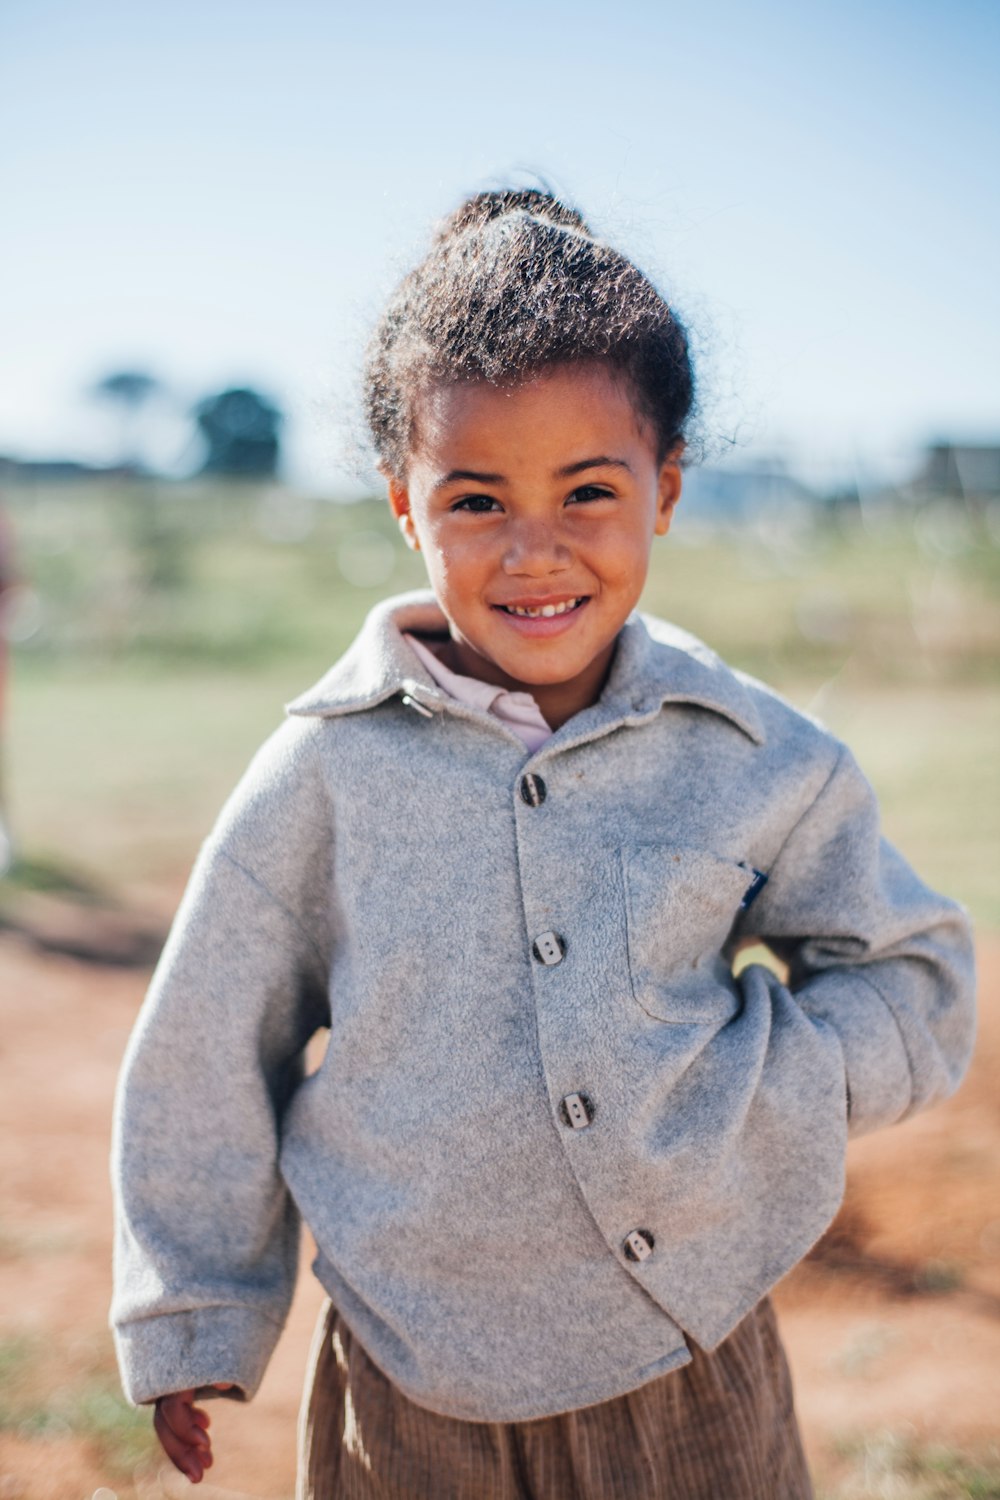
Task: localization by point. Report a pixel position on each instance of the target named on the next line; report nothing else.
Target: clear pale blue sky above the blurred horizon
(226, 191)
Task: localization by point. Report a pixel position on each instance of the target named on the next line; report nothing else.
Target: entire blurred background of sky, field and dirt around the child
(205, 209)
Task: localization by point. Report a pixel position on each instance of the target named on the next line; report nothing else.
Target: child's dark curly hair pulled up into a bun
(515, 283)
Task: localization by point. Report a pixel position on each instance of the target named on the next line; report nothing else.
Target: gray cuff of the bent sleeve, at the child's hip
(876, 1063)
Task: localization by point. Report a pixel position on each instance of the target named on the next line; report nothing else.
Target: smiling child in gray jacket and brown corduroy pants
(506, 850)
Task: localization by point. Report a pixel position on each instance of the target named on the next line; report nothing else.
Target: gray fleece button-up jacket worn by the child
(552, 1135)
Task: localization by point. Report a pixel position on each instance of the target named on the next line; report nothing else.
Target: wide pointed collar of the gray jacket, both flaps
(656, 664)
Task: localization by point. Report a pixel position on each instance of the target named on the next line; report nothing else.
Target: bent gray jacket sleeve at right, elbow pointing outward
(872, 953)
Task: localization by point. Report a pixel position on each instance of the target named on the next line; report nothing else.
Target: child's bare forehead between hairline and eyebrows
(554, 418)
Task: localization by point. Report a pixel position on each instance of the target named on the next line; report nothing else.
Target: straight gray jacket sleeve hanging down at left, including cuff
(206, 1232)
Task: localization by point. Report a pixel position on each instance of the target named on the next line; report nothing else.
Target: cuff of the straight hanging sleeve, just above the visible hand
(178, 1351)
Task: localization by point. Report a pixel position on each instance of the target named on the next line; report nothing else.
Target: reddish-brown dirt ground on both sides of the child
(893, 1325)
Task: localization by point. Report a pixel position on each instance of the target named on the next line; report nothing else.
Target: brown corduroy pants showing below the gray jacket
(720, 1429)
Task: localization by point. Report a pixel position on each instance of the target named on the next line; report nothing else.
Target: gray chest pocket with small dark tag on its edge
(680, 910)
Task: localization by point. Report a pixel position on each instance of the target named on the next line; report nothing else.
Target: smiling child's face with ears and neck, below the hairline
(536, 508)
